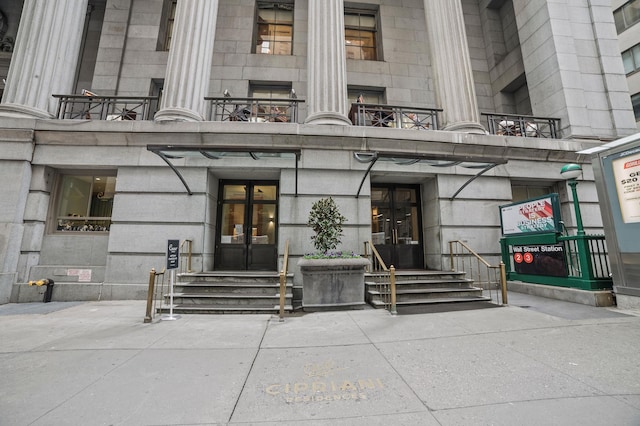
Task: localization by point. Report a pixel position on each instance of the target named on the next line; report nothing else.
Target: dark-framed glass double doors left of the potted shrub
(247, 231)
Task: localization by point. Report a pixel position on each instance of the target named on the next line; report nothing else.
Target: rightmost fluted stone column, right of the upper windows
(451, 65)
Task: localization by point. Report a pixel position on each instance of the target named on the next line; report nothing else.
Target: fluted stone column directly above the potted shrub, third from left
(326, 64)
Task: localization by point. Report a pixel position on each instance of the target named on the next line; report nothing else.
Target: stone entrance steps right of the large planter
(426, 288)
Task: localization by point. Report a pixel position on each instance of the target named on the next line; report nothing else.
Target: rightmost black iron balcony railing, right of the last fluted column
(522, 125)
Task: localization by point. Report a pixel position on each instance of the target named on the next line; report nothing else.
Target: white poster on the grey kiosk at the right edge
(627, 174)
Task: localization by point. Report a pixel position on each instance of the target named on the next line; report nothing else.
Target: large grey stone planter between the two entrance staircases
(332, 283)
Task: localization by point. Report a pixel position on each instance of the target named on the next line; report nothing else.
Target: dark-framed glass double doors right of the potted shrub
(397, 226)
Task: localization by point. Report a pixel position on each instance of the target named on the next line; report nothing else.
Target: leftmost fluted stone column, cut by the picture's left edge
(45, 57)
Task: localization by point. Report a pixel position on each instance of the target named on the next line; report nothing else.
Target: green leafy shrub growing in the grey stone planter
(326, 221)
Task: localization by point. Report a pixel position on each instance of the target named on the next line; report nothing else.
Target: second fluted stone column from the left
(186, 82)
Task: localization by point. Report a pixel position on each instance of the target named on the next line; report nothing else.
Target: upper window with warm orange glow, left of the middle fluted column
(274, 28)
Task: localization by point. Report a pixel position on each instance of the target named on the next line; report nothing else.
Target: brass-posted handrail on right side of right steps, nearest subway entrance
(461, 258)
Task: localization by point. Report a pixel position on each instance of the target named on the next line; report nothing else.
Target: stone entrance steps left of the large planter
(240, 292)
